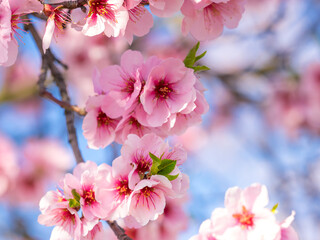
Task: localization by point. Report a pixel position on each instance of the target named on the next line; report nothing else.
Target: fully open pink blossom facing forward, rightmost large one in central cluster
(169, 89)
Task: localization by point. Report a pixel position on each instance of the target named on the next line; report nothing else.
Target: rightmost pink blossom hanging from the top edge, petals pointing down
(205, 19)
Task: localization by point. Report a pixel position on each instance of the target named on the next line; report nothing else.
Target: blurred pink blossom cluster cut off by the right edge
(297, 102)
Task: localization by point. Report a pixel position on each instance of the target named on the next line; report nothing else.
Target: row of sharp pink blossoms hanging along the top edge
(204, 19)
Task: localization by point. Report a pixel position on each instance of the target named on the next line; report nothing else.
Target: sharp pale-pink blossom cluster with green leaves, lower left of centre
(132, 191)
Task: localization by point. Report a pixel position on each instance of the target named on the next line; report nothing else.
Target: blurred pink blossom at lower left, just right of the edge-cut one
(43, 161)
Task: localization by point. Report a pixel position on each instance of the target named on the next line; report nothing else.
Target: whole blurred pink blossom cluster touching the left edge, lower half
(25, 173)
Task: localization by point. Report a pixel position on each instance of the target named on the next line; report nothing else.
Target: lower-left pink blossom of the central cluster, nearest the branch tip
(101, 121)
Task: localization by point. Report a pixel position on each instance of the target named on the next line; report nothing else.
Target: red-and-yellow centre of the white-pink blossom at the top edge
(102, 8)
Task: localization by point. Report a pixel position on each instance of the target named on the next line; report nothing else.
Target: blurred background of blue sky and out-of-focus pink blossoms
(263, 124)
